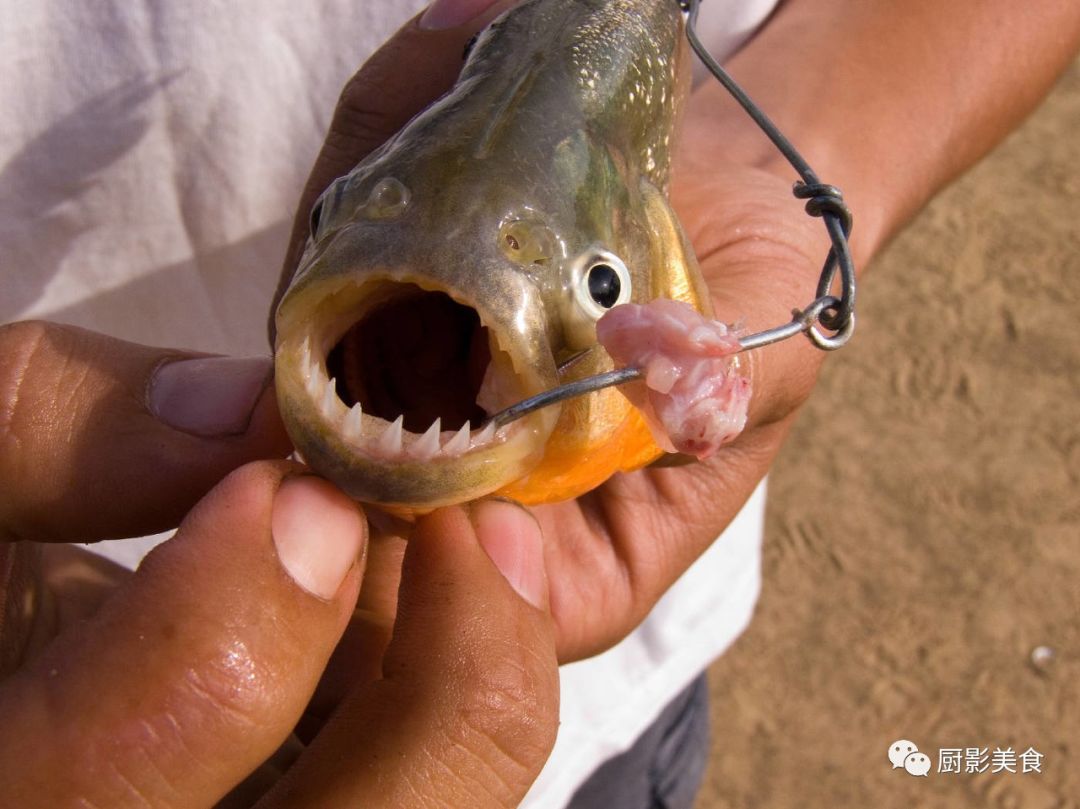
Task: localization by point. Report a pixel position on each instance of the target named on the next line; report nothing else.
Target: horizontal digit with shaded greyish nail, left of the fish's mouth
(103, 439)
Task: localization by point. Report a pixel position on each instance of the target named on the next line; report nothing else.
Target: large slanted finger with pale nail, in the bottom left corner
(198, 668)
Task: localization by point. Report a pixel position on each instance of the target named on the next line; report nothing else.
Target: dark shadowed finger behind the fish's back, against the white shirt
(414, 69)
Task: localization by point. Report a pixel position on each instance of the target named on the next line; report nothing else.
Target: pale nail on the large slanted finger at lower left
(319, 534)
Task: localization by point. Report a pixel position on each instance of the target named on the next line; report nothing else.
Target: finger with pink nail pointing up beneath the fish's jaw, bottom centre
(467, 710)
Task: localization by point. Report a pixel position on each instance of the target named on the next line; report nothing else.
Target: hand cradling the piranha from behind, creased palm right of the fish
(615, 551)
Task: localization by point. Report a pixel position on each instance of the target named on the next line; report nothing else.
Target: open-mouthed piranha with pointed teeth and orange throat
(463, 268)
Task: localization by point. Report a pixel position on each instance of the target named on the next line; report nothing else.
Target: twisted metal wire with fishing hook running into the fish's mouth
(833, 315)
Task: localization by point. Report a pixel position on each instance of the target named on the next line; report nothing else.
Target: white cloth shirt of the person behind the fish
(151, 158)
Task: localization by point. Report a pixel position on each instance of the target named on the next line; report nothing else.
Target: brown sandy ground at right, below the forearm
(924, 528)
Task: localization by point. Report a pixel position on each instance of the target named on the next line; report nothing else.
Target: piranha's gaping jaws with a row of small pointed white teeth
(380, 459)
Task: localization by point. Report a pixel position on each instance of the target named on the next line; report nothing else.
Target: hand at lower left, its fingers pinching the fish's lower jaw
(170, 686)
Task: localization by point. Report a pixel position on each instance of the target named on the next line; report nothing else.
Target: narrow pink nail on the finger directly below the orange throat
(512, 538)
